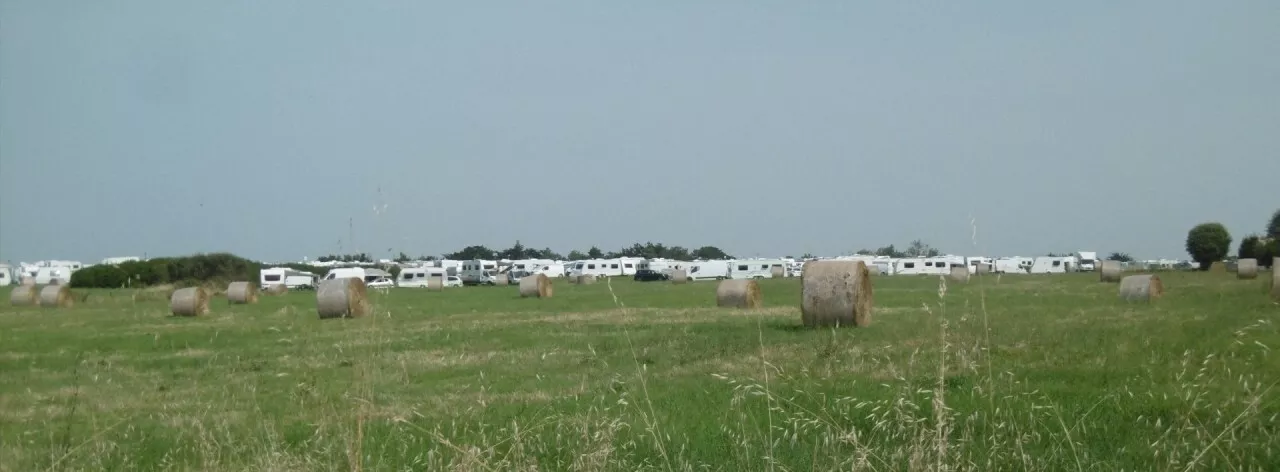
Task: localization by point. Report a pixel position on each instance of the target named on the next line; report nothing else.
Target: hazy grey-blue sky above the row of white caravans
(766, 129)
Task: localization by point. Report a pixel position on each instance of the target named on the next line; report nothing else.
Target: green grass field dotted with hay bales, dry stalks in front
(1011, 373)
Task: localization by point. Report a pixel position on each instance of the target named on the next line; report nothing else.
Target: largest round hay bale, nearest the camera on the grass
(836, 294)
